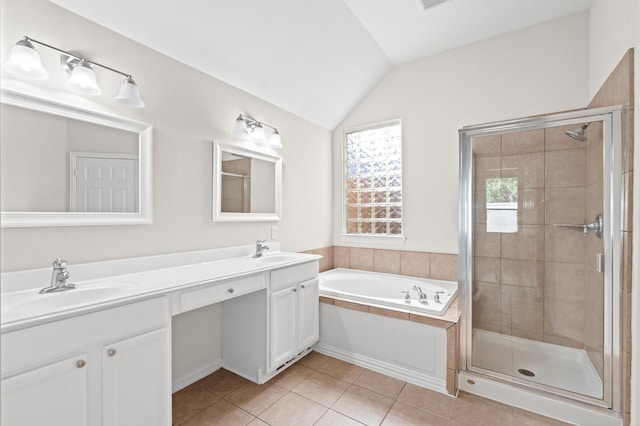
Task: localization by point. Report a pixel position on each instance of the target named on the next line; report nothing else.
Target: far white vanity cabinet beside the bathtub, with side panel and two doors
(263, 331)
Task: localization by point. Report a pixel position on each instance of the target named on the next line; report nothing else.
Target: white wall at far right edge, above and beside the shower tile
(614, 28)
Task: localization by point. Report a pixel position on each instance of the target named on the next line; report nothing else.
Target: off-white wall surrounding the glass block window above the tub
(536, 70)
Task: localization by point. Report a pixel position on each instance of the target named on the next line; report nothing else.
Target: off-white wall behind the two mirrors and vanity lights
(188, 110)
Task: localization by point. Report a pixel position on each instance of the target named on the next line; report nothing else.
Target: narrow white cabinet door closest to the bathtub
(308, 314)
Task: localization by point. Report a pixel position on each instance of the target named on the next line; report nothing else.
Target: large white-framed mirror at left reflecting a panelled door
(66, 166)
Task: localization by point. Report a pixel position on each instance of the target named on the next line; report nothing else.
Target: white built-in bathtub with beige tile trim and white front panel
(366, 319)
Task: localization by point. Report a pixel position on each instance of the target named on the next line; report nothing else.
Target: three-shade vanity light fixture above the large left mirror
(24, 61)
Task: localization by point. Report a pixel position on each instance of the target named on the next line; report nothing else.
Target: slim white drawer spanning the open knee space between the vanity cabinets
(208, 294)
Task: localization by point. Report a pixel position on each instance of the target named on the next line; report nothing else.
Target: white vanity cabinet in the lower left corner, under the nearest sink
(110, 367)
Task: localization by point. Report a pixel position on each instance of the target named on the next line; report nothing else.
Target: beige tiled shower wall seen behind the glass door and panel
(532, 283)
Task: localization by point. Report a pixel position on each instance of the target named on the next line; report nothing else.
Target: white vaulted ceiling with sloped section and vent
(314, 58)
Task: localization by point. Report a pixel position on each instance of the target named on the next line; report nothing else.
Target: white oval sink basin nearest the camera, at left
(84, 294)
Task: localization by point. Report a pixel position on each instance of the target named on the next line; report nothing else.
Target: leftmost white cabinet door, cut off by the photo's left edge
(54, 395)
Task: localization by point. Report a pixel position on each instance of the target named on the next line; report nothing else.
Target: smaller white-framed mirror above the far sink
(247, 183)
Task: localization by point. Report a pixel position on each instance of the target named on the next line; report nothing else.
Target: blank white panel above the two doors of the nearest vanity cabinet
(48, 342)
